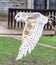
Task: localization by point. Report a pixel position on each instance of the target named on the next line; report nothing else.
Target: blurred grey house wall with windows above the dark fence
(32, 4)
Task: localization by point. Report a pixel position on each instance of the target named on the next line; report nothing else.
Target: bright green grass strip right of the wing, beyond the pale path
(50, 40)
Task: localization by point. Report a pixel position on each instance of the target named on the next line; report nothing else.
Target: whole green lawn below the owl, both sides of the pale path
(39, 56)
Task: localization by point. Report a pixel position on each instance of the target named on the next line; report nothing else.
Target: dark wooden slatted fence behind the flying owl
(13, 24)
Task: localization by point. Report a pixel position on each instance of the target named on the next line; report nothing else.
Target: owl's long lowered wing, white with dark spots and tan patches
(31, 34)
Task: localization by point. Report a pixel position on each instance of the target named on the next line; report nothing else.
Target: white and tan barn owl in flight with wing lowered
(34, 24)
